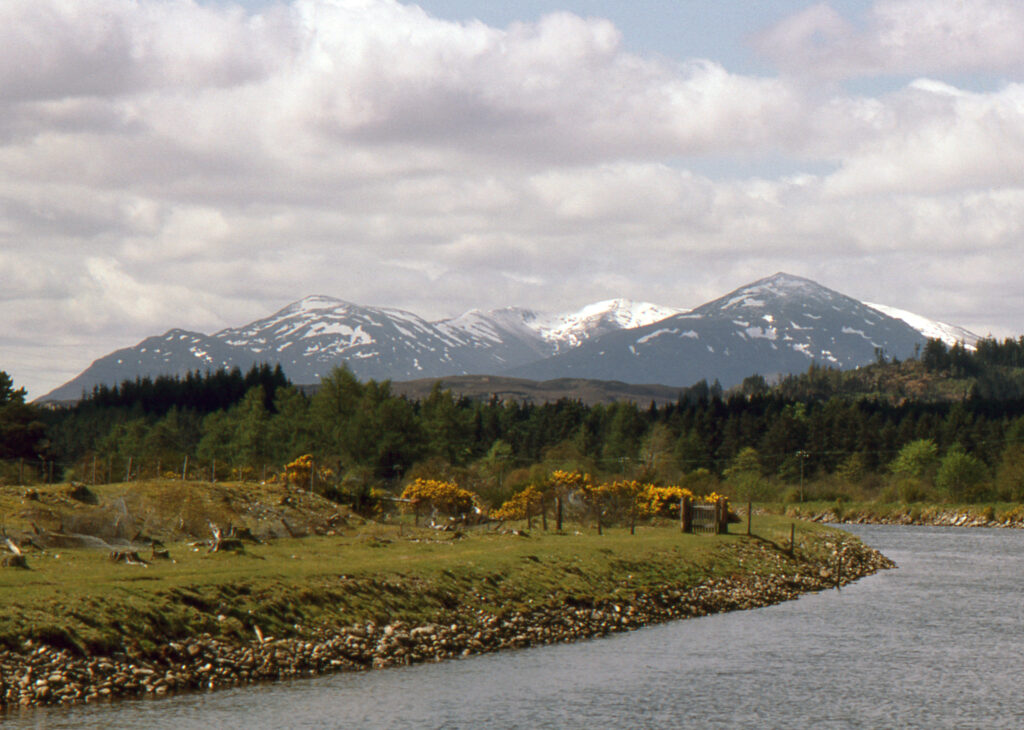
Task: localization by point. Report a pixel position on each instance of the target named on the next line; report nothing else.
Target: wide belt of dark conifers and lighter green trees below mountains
(946, 426)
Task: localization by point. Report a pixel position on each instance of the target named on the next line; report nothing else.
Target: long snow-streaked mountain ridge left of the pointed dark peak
(311, 337)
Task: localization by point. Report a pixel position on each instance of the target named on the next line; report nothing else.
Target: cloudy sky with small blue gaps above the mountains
(200, 165)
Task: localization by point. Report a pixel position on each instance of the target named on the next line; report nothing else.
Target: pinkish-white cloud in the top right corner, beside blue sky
(901, 38)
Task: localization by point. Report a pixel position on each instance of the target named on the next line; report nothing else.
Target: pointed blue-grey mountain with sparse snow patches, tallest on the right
(776, 326)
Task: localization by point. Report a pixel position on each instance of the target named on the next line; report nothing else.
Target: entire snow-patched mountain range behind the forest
(773, 327)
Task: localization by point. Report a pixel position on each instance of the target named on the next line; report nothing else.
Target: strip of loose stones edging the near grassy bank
(41, 675)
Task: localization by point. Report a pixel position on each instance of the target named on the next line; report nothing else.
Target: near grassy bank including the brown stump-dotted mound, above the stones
(358, 572)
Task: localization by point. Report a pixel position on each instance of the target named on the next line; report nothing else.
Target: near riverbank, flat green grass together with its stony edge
(99, 631)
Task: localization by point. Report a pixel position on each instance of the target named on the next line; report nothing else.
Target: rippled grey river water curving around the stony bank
(936, 643)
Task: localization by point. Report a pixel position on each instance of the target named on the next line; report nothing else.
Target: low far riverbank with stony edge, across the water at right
(988, 516)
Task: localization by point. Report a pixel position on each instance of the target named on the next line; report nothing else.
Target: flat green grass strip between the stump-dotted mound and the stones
(372, 573)
